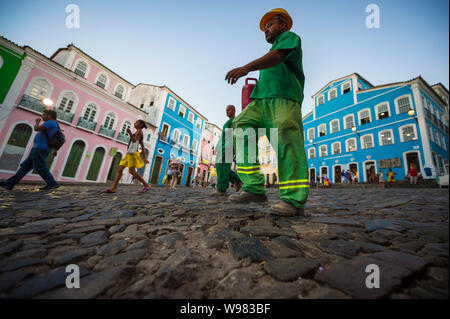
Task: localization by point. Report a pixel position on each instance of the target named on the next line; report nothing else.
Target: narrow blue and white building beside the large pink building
(179, 137)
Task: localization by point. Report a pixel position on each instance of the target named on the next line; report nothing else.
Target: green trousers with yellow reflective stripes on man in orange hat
(284, 115)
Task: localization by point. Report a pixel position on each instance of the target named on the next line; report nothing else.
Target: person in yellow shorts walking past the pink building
(132, 159)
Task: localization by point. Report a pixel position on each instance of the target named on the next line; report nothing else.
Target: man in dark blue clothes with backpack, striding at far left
(38, 153)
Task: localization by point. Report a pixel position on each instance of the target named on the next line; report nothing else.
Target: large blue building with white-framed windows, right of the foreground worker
(365, 128)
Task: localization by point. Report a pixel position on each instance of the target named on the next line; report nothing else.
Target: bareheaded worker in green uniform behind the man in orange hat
(224, 173)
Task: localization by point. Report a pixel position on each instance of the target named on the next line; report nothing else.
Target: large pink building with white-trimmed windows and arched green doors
(93, 112)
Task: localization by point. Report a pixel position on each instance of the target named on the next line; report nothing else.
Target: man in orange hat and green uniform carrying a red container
(276, 104)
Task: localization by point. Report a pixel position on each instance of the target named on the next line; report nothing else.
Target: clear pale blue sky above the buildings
(189, 46)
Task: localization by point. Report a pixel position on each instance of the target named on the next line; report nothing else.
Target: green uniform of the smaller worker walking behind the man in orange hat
(224, 173)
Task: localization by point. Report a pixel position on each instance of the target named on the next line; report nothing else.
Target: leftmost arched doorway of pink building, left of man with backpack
(15, 148)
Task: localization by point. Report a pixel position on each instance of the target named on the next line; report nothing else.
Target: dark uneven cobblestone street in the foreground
(187, 244)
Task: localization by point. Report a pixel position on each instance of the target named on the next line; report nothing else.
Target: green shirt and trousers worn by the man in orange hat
(276, 104)
